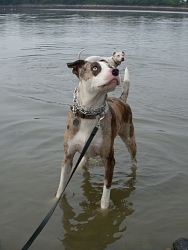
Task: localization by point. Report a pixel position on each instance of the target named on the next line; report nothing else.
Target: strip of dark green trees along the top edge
(99, 2)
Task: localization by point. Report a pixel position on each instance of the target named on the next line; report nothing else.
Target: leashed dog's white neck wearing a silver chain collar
(89, 104)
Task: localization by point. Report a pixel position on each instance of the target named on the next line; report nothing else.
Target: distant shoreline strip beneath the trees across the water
(100, 7)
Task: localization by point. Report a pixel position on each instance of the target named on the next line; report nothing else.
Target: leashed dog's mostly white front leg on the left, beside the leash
(65, 173)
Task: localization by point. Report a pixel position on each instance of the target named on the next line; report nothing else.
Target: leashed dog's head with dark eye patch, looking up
(96, 76)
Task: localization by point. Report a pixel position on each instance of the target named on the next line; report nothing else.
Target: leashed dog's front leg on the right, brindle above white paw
(109, 169)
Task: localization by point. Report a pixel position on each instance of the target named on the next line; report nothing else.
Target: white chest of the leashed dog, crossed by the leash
(78, 141)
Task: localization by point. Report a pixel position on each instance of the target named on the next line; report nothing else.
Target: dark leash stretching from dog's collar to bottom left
(48, 216)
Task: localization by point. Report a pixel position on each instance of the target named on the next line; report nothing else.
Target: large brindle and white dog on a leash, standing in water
(91, 103)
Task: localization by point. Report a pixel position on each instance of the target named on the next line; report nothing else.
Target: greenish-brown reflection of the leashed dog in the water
(93, 228)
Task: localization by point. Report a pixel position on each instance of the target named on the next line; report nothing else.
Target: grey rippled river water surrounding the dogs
(148, 208)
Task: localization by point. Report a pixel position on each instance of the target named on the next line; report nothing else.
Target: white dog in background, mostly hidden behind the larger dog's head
(115, 60)
